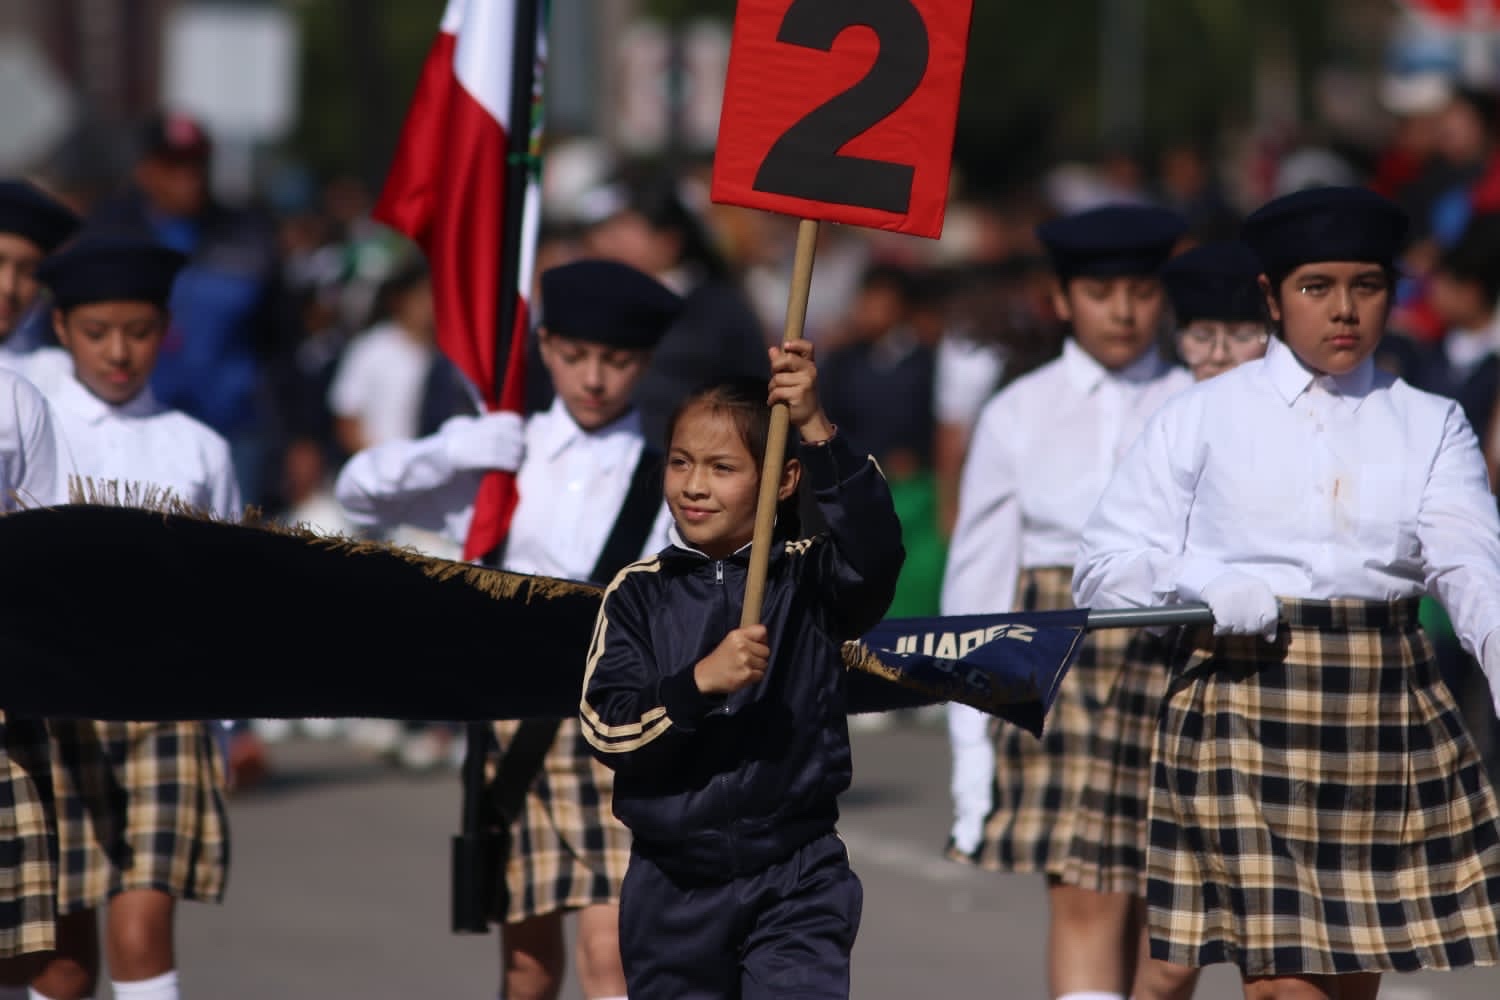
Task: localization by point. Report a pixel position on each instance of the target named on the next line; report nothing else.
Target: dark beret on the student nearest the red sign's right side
(1112, 241)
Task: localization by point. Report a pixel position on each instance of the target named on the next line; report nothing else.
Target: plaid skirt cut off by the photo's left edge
(28, 840)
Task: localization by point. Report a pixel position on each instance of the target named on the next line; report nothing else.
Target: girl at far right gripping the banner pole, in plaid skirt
(1318, 816)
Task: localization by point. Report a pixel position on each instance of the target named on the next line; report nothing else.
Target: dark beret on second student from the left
(112, 269)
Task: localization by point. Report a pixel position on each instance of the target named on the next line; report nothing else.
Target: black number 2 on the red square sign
(806, 161)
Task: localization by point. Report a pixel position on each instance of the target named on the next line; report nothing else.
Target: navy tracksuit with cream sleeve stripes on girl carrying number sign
(739, 885)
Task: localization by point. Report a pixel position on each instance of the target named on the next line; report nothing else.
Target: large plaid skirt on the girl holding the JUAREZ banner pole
(1318, 807)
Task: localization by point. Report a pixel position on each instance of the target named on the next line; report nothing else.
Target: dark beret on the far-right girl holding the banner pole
(1325, 224)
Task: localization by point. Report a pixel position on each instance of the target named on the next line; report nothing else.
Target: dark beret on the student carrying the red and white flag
(607, 302)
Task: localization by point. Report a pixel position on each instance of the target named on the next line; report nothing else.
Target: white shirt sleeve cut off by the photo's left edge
(35, 464)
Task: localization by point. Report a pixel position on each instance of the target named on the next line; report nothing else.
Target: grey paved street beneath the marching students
(340, 890)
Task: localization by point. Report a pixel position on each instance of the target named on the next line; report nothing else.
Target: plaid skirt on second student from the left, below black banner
(140, 806)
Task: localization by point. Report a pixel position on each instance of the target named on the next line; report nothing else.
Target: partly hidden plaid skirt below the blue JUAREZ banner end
(1040, 782)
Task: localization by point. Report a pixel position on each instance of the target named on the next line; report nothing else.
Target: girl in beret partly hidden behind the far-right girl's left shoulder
(1042, 455)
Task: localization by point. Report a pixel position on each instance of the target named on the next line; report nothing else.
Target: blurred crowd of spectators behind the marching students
(259, 133)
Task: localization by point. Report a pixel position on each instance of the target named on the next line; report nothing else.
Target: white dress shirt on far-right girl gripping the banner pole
(1352, 487)
